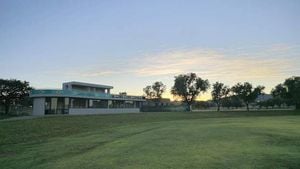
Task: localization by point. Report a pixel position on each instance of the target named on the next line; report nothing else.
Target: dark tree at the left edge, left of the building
(13, 91)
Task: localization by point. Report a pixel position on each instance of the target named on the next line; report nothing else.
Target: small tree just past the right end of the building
(155, 91)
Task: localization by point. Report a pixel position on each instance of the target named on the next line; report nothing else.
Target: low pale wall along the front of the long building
(82, 111)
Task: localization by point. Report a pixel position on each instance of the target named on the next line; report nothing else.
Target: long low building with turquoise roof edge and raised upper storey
(83, 98)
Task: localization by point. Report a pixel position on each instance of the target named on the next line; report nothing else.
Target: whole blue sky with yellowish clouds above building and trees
(131, 44)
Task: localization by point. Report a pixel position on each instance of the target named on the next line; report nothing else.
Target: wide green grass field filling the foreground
(154, 140)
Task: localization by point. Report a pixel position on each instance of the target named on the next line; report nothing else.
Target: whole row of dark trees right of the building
(188, 87)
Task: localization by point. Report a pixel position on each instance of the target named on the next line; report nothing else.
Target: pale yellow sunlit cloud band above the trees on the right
(213, 64)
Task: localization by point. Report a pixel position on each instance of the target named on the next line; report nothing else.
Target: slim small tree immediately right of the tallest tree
(219, 92)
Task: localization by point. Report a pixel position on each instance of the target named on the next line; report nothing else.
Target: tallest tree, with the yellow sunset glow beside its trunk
(188, 87)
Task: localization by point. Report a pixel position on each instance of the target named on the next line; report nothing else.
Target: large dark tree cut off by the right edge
(289, 90)
